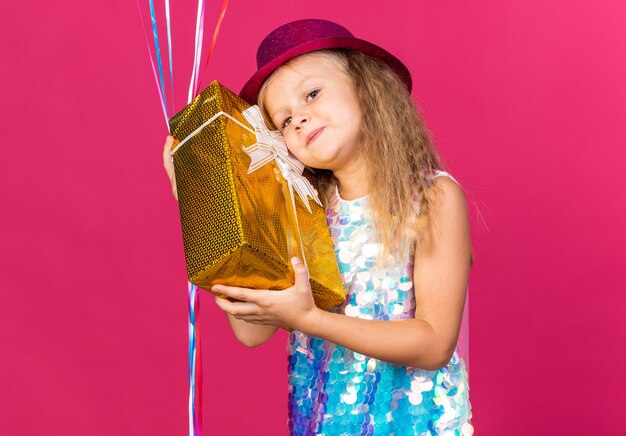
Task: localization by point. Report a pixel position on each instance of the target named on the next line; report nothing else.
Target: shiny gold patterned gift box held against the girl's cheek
(239, 229)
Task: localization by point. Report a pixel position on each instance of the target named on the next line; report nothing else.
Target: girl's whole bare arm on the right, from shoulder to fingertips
(440, 281)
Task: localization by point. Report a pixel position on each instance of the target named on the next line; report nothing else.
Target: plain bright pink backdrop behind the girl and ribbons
(527, 102)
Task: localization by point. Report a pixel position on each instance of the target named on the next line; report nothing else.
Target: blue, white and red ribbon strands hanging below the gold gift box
(195, 363)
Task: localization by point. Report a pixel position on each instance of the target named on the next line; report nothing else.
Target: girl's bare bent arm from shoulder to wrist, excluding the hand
(440, 276)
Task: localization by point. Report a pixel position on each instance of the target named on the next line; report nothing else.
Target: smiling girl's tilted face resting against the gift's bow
(313, 104)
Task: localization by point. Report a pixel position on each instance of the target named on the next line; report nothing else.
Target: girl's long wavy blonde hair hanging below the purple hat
(397, 150)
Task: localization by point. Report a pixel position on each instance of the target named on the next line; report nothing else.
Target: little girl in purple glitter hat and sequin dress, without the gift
(385, 361)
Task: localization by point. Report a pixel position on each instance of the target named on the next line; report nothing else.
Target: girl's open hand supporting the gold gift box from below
(293, 307)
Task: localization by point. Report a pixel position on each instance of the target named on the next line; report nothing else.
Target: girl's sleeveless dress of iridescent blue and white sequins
(335, 391)
